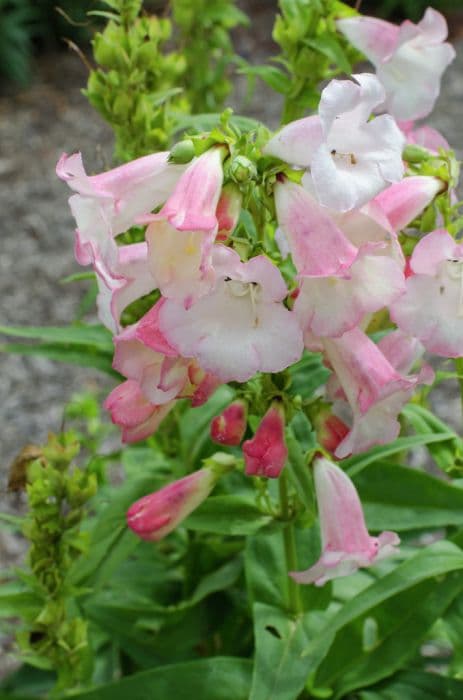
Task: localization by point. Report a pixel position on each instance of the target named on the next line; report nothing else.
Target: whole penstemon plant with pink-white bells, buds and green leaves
(271, 298)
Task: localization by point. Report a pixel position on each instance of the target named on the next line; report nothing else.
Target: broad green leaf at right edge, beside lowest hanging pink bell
(401, 498)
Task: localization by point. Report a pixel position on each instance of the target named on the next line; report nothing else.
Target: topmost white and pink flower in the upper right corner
(409, 59)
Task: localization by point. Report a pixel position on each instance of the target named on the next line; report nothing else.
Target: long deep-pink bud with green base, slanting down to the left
(154, 516)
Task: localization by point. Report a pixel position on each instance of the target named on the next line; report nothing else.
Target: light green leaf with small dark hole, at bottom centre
(280, 670)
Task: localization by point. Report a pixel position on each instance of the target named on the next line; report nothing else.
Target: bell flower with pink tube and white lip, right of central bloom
(338, 282)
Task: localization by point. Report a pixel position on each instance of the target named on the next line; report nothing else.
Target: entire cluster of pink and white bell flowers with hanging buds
(225, 312)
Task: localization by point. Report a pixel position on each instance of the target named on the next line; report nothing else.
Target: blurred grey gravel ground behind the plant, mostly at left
(36, 126)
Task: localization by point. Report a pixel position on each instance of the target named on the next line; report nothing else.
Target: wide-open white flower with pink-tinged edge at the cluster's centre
(240, 327)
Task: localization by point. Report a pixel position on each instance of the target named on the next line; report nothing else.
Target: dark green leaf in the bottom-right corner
(415, 685)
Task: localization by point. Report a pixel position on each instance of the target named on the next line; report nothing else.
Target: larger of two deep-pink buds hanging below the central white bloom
(266, 453)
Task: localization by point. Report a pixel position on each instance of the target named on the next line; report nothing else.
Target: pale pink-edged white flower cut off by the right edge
(431, 309)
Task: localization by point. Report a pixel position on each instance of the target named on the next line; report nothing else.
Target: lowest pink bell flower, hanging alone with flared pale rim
(347, 546)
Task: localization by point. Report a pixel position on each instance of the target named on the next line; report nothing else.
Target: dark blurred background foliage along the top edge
(29, 27)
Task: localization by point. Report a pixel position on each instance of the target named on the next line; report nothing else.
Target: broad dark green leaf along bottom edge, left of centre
(216, 678)
